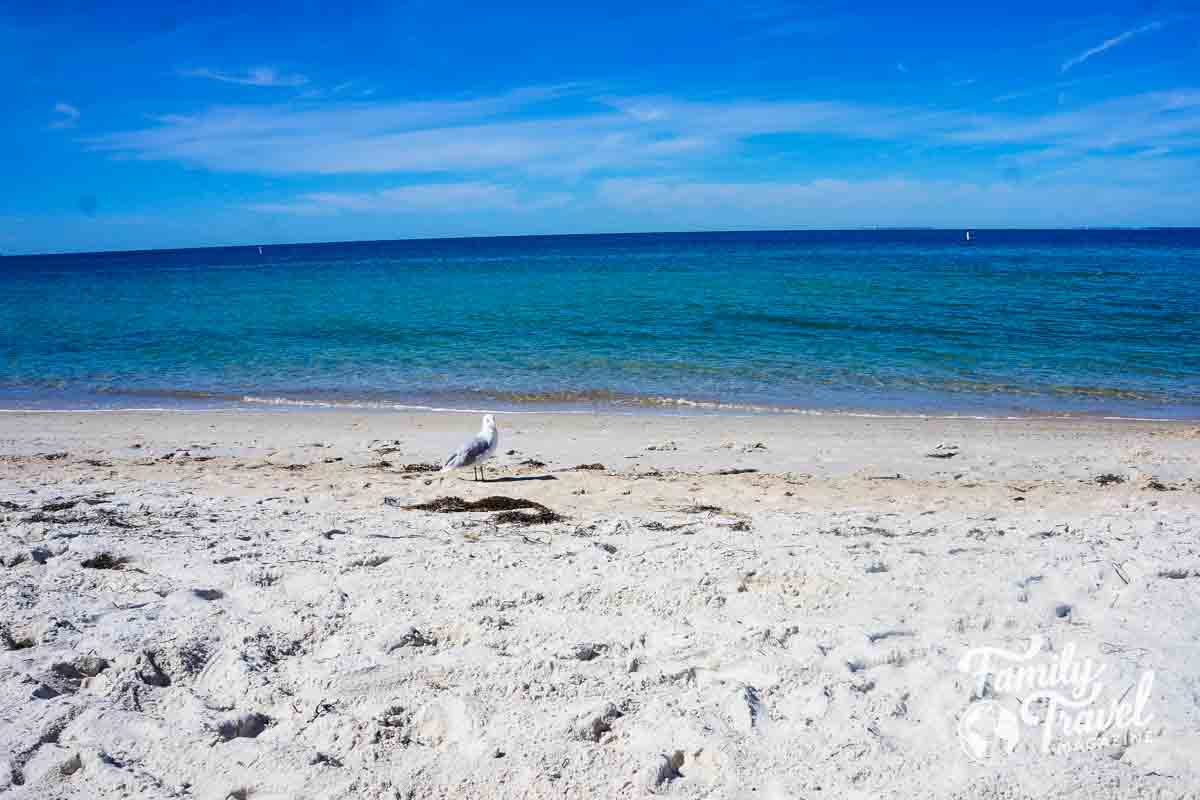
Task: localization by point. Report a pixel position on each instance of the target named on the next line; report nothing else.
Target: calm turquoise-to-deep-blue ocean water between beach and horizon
(1011, 323)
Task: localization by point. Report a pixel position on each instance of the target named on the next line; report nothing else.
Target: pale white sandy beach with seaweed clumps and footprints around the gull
(247, 604)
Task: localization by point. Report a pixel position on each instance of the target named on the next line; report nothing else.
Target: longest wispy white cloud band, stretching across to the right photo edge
(565, 134)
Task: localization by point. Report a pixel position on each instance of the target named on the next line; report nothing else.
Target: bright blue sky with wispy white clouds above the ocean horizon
(155, 125)
